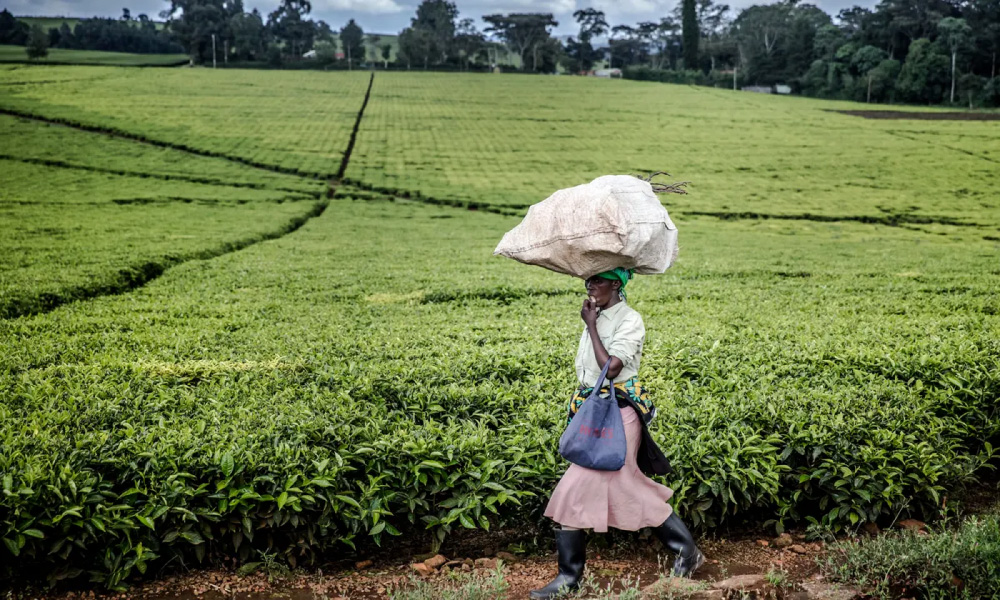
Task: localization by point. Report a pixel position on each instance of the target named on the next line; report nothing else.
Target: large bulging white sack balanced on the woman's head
(613, 221)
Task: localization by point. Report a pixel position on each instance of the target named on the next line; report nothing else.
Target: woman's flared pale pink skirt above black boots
(624, 499)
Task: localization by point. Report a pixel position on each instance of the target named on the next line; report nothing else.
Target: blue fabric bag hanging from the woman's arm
(595, 438)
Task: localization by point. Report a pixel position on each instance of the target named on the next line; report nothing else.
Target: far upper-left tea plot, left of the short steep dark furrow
(299, 122)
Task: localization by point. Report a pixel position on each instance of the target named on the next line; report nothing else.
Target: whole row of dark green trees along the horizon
(915, 51)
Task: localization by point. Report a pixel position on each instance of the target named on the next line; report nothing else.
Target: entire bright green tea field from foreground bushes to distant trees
(310, 375)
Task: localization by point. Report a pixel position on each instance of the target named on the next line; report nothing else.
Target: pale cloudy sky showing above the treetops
(390, 16)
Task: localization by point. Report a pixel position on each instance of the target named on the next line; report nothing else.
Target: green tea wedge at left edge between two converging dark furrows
(86, 215)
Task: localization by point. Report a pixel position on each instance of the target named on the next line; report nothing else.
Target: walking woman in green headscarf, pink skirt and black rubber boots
(624, 499)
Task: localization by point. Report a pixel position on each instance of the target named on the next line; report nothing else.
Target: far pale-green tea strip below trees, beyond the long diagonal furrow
(492, 141)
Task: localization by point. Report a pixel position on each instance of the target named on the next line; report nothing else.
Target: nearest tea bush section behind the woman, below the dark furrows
(316, 391)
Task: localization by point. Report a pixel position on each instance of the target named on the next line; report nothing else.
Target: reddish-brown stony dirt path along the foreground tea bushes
(741, 563)
